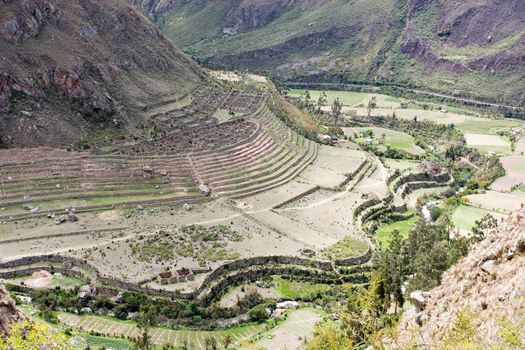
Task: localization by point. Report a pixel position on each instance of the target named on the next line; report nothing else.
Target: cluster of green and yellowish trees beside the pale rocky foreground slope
(414, 263)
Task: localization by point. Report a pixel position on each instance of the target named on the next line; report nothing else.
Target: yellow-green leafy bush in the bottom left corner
(34, 335)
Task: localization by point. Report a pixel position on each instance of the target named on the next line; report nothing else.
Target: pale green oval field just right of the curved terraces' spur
(385, 137)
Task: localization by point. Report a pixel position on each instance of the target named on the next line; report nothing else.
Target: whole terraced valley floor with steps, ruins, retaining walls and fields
(234, 200)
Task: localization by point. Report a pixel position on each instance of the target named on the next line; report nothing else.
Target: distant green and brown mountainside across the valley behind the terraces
(461, 47)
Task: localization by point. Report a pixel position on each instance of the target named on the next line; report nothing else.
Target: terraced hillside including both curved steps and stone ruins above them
(250, 152)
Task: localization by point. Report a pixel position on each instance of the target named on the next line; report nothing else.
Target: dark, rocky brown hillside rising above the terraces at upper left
(71, 68)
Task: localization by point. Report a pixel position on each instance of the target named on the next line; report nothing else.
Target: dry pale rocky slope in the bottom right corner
(488, 286)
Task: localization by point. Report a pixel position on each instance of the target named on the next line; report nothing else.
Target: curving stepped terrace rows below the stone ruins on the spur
(264, 154)
